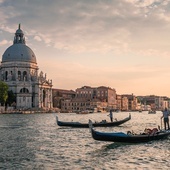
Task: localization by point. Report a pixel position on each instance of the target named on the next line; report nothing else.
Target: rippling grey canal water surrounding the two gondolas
(34, 141)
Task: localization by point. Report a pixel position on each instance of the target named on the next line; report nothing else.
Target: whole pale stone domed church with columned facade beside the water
(20, 71)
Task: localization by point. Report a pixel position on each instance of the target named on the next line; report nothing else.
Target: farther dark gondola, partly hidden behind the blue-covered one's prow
(97, 124)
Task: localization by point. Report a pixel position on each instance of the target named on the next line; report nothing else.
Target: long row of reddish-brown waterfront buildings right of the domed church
(103, 99)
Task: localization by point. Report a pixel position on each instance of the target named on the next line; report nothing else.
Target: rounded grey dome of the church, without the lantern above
(19, 52)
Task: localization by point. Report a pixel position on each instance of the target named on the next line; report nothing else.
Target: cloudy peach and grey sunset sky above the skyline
(122, 44)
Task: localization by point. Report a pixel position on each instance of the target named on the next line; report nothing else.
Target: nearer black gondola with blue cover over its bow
(127, 138)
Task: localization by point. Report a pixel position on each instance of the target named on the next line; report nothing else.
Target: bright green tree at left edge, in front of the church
(3, 92)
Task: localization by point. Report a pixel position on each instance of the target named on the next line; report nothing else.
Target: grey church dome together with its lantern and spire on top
(19, 51)
